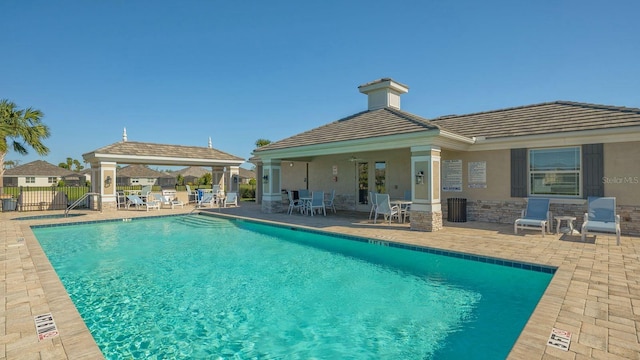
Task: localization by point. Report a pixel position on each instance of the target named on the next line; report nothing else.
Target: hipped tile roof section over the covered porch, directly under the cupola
(363, 125)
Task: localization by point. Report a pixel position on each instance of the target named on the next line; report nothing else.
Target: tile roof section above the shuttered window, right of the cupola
(544, 118)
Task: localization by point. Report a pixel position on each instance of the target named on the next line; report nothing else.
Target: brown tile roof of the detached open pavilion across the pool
(150, 149)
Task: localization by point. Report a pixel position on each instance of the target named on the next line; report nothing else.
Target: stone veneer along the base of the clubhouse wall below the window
(506, 212)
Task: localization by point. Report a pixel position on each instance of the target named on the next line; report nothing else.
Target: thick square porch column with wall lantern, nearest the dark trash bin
(426, 210)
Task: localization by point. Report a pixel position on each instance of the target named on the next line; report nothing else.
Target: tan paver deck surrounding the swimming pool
(595, 293)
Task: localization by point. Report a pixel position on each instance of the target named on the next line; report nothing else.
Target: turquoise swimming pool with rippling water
(199, 287)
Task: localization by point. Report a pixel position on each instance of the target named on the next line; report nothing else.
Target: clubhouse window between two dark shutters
(555, 171)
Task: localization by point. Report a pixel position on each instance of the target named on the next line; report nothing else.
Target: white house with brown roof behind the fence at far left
(41, 173)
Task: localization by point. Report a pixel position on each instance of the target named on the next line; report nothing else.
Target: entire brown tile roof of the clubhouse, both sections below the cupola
(544, 118)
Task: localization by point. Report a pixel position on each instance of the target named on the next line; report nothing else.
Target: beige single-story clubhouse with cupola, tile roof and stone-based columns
(496, 160)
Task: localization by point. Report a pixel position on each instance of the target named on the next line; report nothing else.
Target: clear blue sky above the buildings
(178, 72)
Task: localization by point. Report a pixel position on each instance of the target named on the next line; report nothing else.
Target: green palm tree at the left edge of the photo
(19, 129)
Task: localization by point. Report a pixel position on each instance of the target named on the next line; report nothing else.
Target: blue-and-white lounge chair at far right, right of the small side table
(601, 217)
